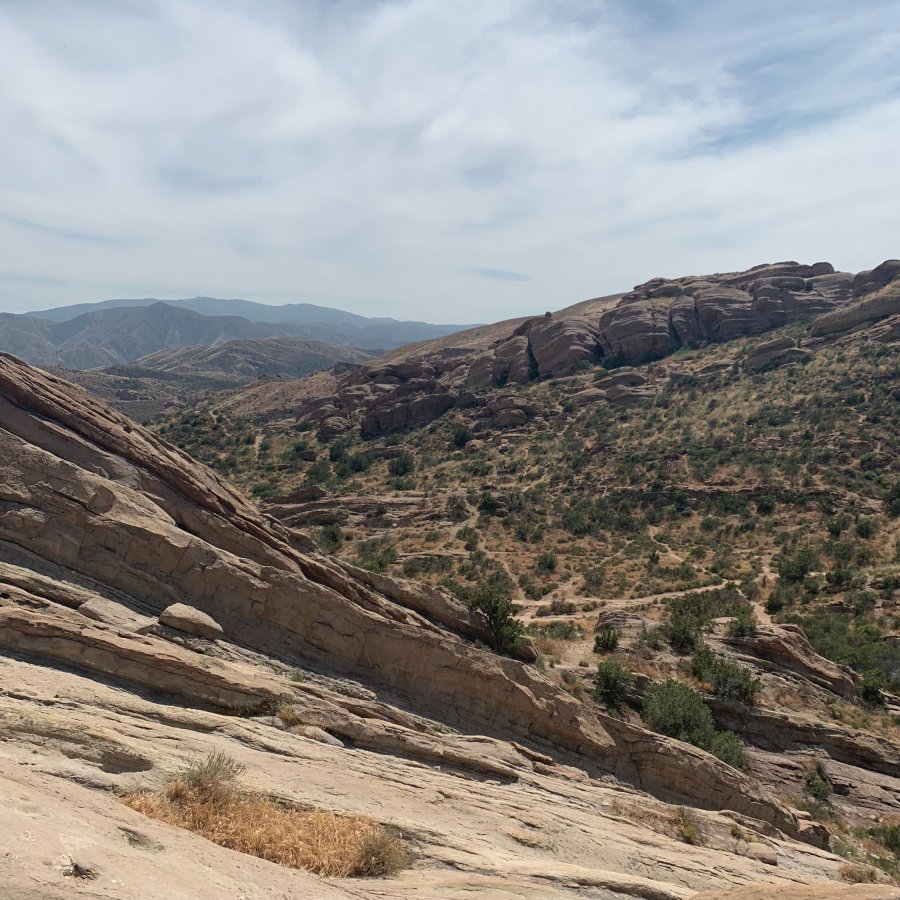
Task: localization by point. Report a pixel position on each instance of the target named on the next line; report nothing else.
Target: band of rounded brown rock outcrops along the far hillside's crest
(649, 323)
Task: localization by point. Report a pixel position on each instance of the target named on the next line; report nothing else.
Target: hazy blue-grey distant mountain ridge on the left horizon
(113, 332)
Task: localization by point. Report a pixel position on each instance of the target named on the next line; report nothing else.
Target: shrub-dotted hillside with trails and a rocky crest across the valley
(731, 499)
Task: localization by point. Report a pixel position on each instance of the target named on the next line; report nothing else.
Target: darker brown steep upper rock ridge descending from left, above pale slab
(93, 502)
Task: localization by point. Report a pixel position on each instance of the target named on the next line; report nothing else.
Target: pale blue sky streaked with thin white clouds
(447, 162)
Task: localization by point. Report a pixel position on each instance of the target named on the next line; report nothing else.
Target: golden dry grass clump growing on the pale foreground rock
(207, 800)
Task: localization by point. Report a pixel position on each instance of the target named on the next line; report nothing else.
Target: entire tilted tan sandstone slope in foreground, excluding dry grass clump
(150, 614)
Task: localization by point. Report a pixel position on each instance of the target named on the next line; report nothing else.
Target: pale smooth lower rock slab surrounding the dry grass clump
(60, 719)
